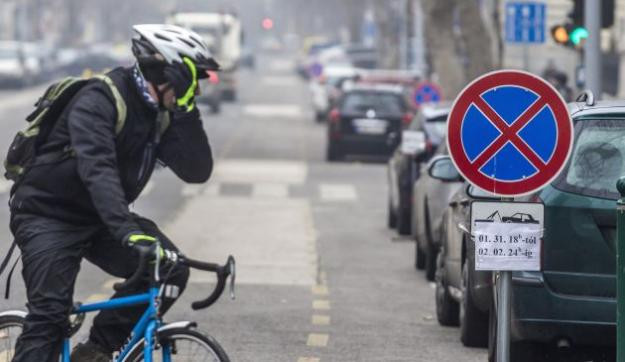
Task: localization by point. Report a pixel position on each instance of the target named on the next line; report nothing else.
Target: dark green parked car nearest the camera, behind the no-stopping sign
(572, 301)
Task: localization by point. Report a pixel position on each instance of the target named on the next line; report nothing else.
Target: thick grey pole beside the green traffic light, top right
(592, 47)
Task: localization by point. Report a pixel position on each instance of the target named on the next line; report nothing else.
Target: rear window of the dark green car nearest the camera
(597, 160)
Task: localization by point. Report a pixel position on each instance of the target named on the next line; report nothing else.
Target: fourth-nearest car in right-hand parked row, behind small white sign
(404, 167)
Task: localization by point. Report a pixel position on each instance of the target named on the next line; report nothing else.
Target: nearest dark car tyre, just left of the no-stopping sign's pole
(473, 322)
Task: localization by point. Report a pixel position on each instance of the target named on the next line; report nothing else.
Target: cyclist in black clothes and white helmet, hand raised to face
(78, 206)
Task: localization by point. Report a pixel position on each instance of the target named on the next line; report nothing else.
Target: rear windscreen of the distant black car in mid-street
(381, 103)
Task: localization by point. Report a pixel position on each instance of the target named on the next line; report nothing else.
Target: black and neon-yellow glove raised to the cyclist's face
(183, 79)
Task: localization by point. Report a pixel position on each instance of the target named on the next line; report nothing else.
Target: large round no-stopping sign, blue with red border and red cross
(509, 133)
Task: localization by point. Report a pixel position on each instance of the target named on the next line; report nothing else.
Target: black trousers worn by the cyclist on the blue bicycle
(51, 261)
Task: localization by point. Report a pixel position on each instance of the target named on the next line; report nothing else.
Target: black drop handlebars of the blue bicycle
(222, 271)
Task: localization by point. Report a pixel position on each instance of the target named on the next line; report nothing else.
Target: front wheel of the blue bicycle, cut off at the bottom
(183, 345)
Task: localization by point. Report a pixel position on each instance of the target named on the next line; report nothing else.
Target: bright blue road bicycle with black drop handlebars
(151, 339)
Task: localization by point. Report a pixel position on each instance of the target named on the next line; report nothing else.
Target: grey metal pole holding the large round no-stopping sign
(503, 311)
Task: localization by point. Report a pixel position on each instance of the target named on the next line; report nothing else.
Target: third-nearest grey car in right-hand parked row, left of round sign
(430, 199)
